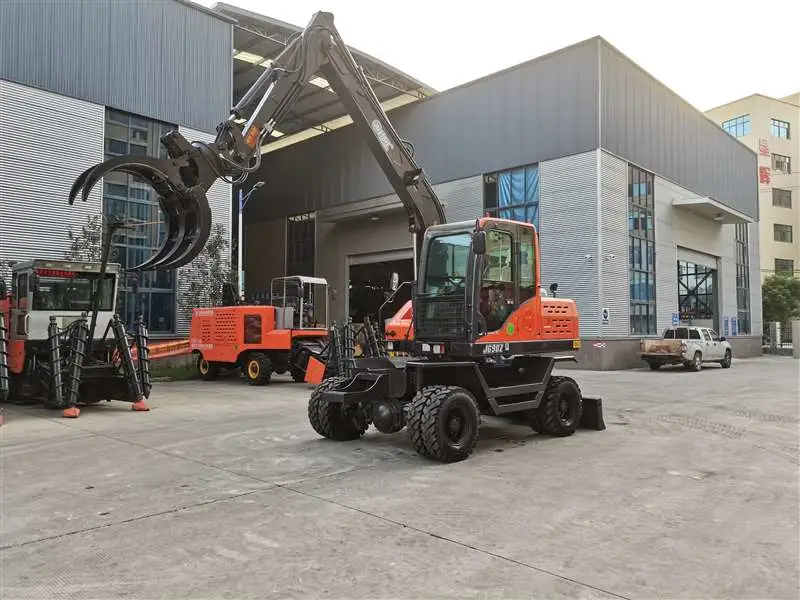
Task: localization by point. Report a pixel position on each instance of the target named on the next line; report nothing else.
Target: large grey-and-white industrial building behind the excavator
(646, 210)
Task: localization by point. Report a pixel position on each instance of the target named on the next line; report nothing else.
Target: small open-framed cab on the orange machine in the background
(301, 302)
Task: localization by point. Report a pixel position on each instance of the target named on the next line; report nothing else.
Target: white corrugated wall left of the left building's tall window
(34, 183)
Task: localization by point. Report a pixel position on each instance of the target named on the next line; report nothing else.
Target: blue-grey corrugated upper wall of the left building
(87, 49)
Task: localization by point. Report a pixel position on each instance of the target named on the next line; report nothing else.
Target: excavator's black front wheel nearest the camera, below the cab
(445, 408)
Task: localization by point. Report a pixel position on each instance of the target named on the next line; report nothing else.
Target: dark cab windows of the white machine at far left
(72, 291)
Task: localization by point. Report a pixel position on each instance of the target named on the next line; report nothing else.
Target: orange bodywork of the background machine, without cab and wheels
(222, 333)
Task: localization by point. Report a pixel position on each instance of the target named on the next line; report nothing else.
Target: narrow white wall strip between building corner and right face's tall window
(613, 253)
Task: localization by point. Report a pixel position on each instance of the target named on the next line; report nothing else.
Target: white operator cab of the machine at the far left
(63, 289)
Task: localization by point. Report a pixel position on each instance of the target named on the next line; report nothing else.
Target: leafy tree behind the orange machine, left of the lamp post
(201, 282)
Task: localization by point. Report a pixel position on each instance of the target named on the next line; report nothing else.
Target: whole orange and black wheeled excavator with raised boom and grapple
(485, 342)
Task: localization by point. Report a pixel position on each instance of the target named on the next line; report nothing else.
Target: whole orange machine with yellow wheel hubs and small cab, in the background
(261, 340)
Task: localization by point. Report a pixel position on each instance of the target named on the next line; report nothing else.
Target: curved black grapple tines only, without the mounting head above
(186, 210)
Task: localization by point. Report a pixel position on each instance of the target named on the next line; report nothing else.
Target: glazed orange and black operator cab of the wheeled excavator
(475, 277)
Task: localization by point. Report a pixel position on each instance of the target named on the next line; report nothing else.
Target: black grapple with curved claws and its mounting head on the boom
(181, 182)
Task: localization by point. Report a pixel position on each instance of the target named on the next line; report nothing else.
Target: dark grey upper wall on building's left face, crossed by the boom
(537, 111)
